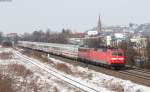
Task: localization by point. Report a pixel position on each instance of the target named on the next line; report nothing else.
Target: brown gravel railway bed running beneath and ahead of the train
(140, 76)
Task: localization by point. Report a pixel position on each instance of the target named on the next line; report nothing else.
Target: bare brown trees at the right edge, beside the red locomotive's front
(138, 55)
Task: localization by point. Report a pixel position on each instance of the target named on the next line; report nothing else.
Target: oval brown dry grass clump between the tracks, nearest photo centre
(63, 67)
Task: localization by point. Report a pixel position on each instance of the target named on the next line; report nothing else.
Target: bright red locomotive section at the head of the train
(103, 56)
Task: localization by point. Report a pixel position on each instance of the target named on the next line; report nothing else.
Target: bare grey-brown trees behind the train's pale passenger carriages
(48, 36)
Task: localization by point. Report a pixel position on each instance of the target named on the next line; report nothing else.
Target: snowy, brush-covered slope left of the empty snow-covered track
(17, 75)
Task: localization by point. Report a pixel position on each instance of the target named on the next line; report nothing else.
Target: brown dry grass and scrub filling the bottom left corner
(9, 82)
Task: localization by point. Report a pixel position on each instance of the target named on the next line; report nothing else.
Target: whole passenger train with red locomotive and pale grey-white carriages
(110, 57)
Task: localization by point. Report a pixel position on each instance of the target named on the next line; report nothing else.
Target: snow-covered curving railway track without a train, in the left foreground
(57, 74)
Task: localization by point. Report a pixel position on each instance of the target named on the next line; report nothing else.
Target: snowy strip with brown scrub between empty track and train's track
(99, 80)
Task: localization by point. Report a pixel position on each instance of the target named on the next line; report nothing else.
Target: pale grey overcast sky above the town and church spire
(29, 15)
